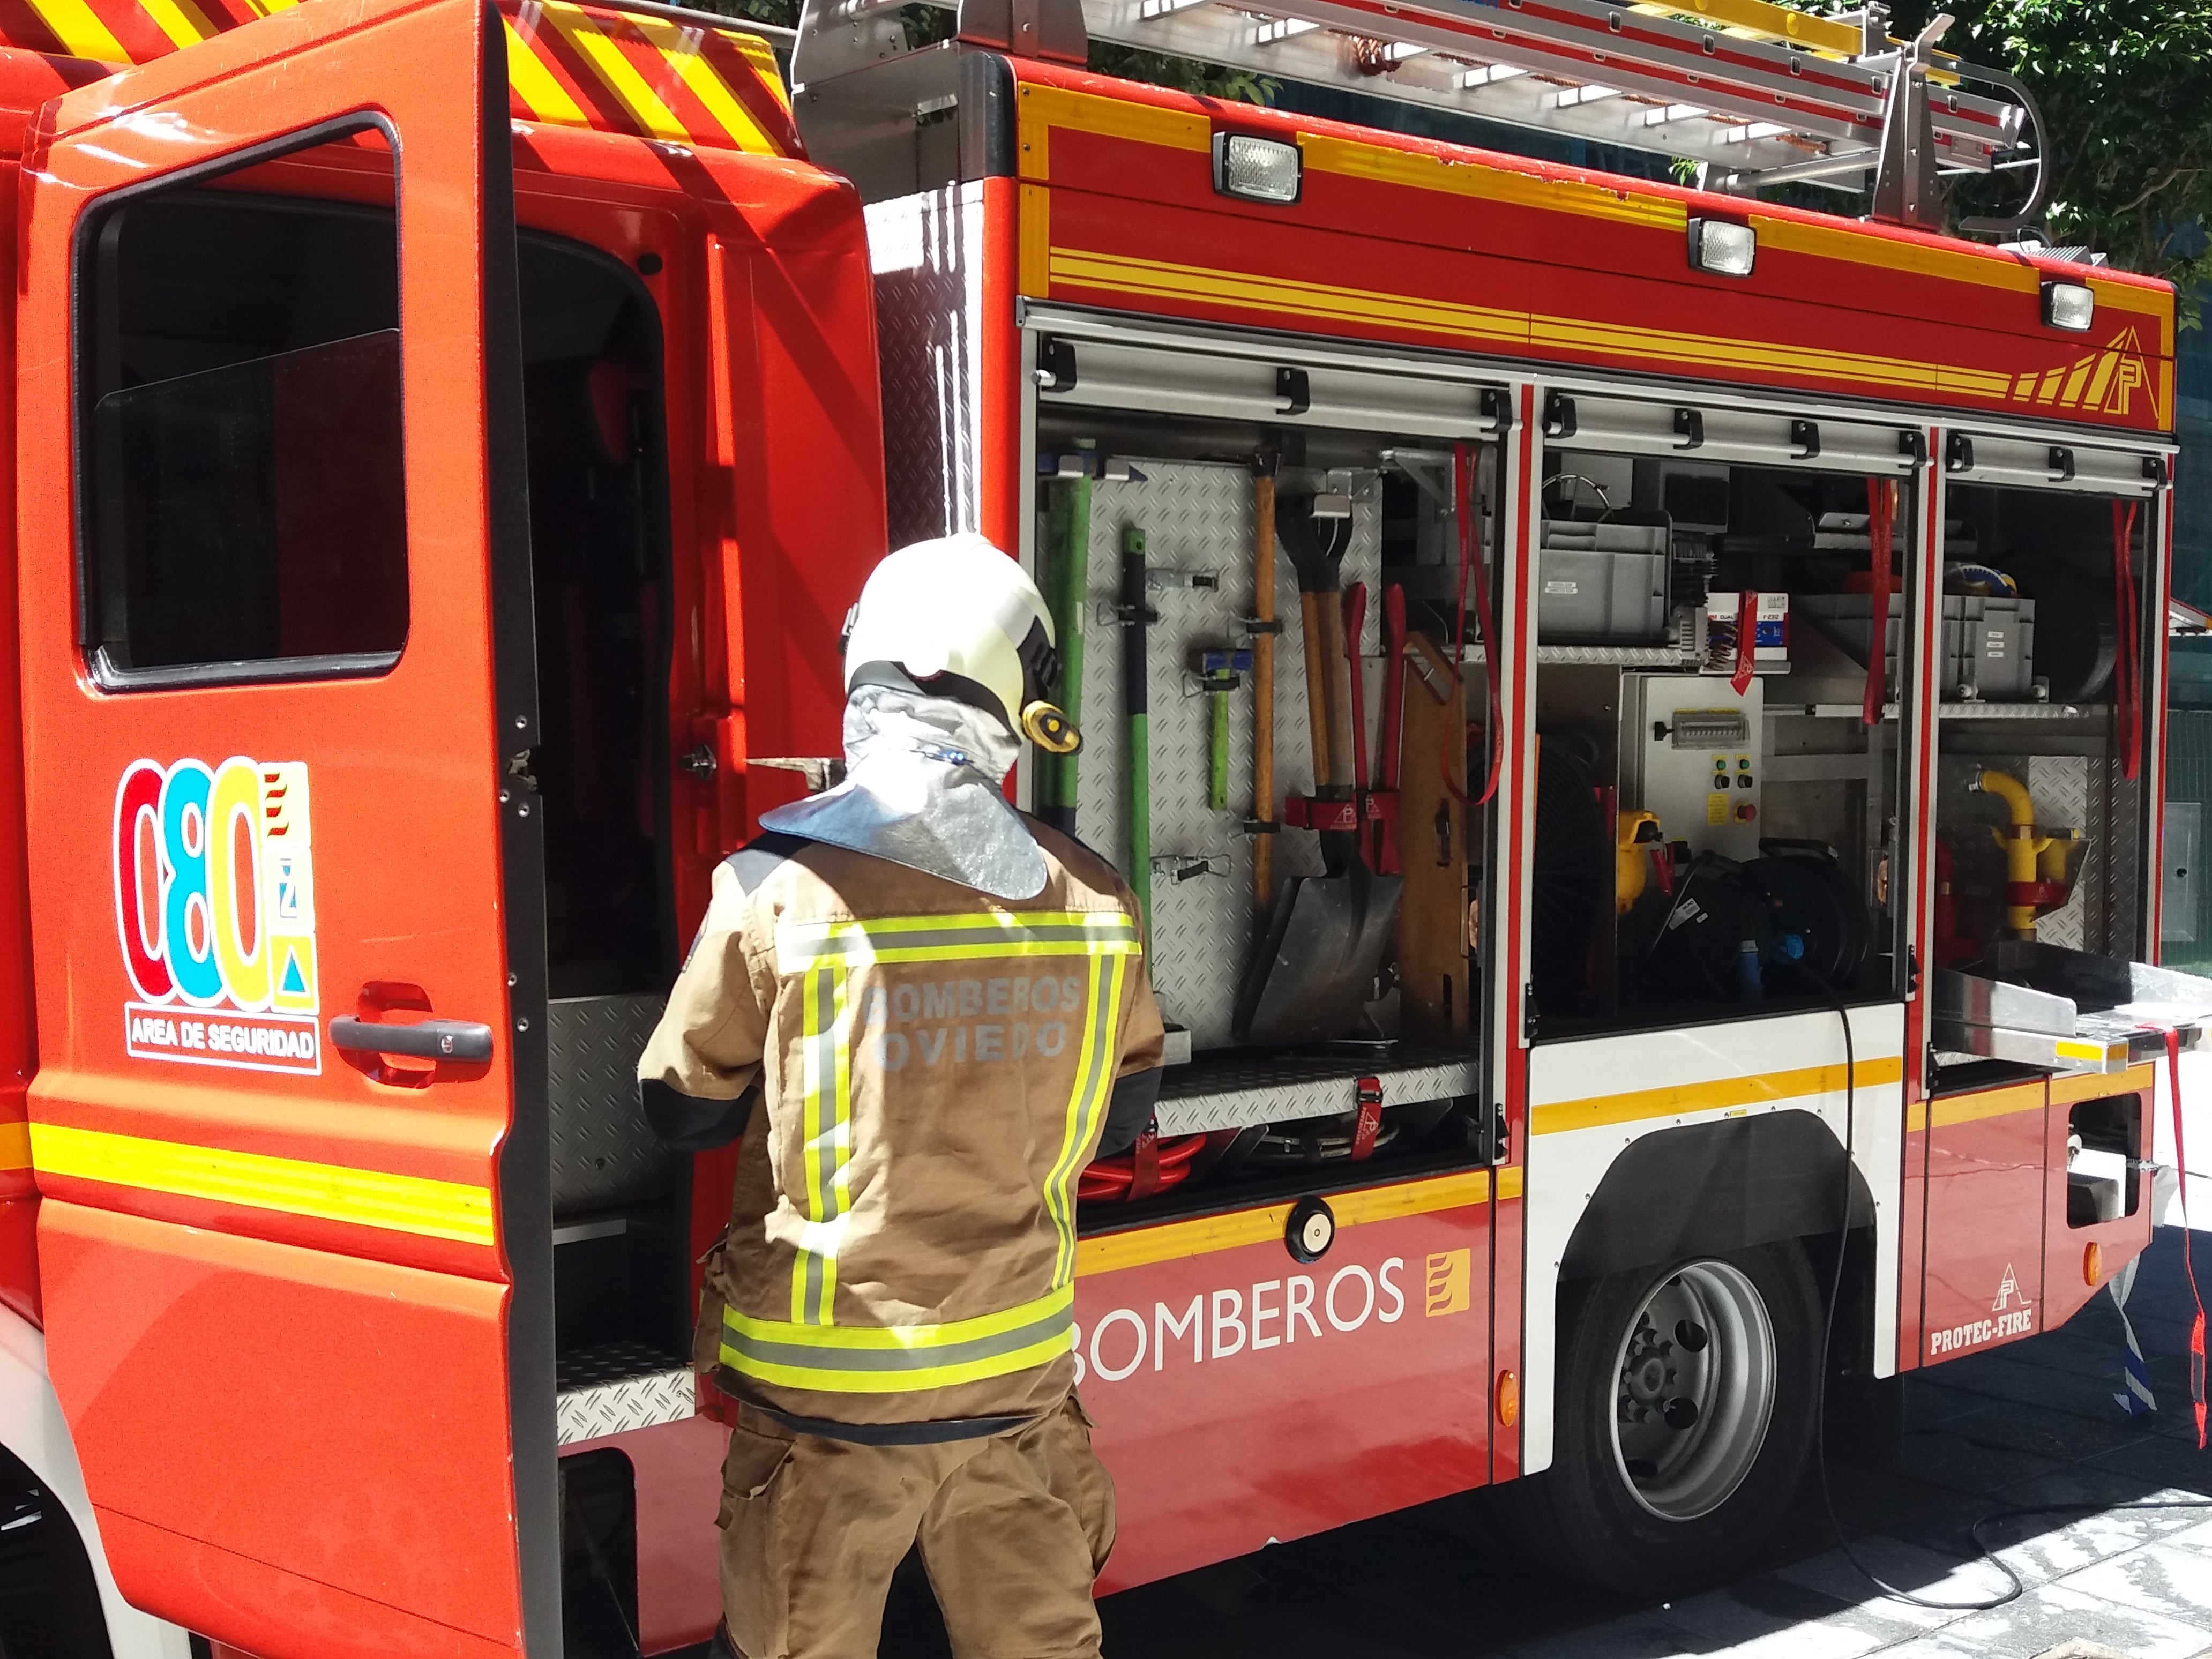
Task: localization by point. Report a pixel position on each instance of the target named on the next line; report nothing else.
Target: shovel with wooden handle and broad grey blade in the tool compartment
(1328, 935)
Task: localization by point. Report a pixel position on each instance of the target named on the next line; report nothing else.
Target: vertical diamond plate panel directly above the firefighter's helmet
(928, 262)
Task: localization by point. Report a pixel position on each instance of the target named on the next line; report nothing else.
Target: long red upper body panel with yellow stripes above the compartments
(1510, 258)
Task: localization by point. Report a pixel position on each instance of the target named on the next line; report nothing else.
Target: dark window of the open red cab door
(242, 494)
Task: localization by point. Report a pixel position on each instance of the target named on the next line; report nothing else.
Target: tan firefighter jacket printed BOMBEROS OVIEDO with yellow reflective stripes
(937, 1070)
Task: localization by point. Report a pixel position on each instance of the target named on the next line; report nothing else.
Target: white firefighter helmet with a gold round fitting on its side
(957, 618)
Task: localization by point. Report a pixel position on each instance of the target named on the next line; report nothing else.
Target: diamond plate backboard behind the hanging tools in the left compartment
(1198, 519)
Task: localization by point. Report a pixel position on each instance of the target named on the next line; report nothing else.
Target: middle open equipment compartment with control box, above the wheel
(1718, 784)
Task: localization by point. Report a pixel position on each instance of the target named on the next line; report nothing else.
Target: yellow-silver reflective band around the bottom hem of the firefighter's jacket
(899, 1359)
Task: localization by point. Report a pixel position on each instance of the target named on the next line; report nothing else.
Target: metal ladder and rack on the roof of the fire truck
(1755, 94)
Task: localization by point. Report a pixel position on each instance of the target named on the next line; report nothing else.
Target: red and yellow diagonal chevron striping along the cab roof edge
(567, 65)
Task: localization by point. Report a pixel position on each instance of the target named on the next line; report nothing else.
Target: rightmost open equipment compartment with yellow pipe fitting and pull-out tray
(2047, 775)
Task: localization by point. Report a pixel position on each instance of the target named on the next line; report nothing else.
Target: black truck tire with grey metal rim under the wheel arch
(1647, 1496)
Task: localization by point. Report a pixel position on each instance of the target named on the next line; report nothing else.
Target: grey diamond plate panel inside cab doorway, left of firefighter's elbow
(605, 1151)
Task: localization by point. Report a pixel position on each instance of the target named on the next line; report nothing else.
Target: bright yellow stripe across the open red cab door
(255, 1180)
